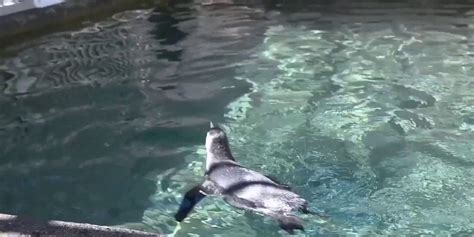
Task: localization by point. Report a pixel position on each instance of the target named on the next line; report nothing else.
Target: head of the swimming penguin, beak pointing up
(217, 142)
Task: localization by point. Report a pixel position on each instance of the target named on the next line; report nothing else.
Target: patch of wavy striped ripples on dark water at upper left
(102, 53)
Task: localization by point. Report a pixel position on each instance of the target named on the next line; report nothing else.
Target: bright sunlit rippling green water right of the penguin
(374, 124)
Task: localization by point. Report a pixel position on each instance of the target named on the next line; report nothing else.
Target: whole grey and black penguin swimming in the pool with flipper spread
(241, 187)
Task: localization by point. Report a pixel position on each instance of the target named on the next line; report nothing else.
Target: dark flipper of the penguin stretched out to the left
(192, 197)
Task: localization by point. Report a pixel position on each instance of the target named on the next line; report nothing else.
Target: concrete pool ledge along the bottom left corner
(14, 226)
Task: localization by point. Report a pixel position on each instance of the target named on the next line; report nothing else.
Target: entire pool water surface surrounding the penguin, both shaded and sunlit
(366, 109)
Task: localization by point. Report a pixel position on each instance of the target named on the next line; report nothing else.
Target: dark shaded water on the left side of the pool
(87, 115)
